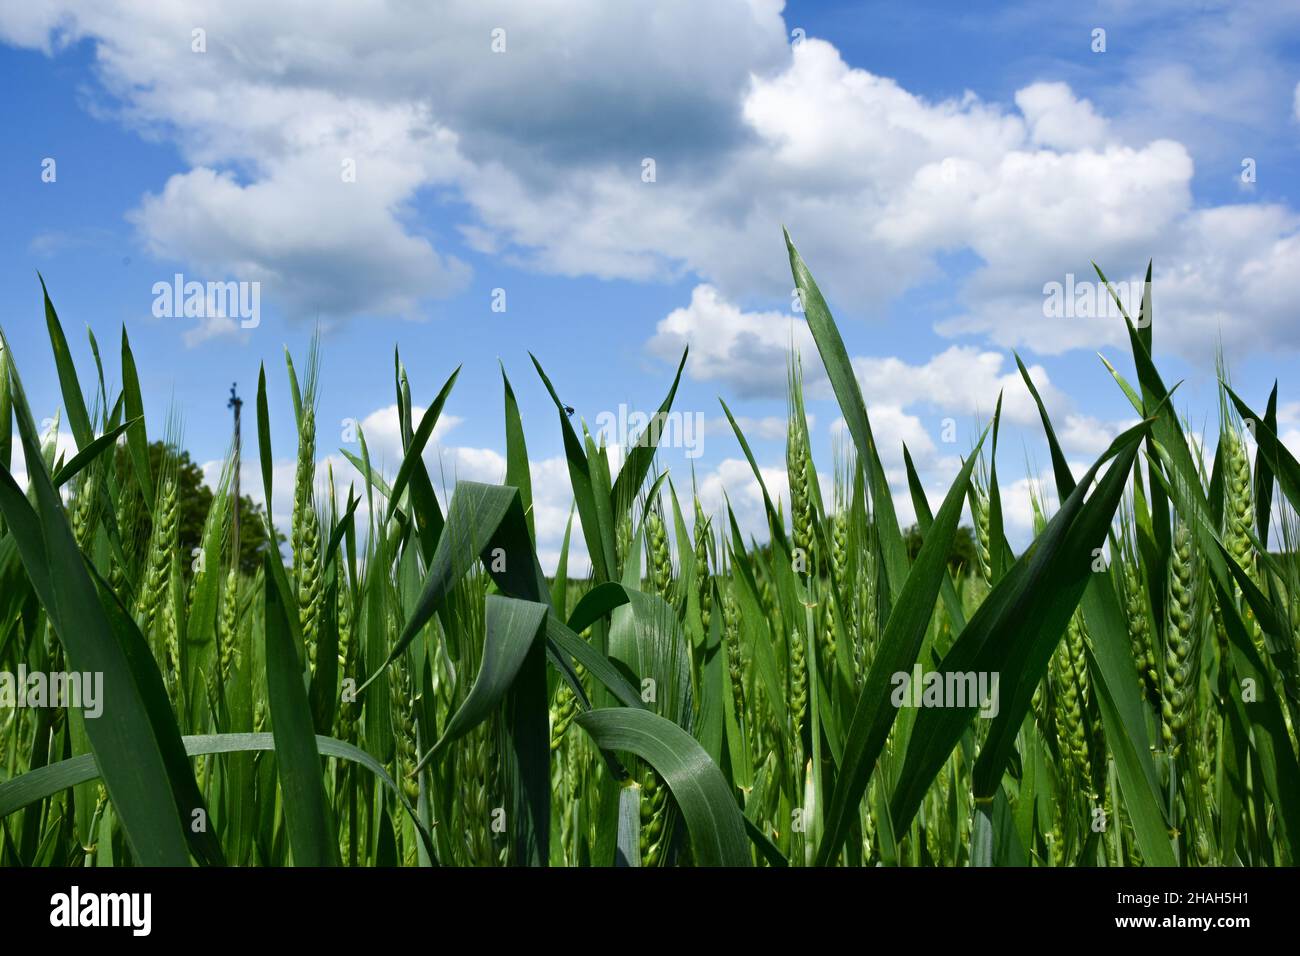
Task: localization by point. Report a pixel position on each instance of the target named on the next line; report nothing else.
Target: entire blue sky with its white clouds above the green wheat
(937, 167)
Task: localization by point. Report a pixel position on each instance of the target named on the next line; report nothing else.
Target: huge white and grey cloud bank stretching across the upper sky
(544, 148)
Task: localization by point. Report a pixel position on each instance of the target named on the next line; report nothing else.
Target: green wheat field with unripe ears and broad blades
(408, 687)
